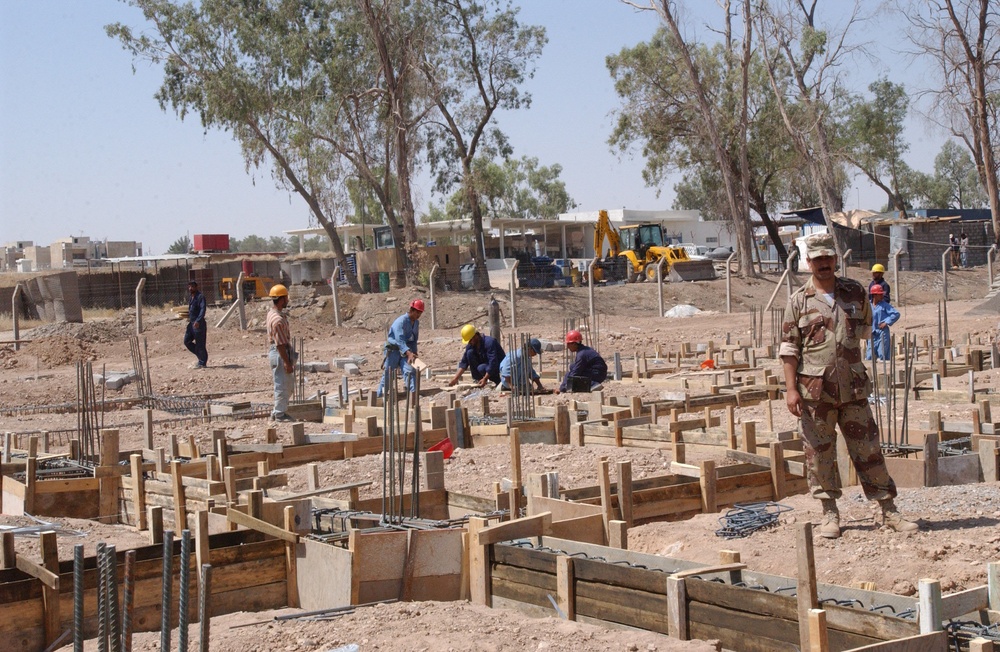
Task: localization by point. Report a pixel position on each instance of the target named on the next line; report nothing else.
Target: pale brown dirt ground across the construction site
(959, 534)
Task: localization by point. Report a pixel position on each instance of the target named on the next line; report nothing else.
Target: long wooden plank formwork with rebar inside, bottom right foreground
(743, 609)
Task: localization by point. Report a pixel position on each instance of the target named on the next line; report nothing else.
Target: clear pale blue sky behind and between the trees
(86, 150)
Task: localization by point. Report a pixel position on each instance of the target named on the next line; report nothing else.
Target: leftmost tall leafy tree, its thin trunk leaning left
(248, 70)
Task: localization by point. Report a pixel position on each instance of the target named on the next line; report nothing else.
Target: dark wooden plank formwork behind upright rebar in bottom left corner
(249, 573)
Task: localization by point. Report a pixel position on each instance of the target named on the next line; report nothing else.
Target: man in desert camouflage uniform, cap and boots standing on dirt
(826, 385)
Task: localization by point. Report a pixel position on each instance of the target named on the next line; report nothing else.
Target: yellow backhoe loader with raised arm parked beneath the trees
(636, 249)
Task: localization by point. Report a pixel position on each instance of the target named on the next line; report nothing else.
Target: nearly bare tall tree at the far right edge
(962, 38)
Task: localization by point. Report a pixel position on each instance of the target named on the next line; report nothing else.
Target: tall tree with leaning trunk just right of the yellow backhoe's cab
(687, 95)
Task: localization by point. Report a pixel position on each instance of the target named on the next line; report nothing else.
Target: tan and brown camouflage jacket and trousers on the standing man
(834, 385)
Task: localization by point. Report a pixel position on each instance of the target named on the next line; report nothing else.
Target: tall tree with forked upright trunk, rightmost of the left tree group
(482, 56)
